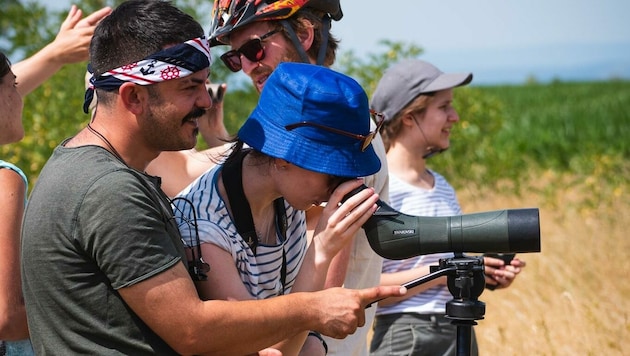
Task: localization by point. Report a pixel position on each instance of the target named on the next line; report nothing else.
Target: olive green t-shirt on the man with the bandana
(92, 226)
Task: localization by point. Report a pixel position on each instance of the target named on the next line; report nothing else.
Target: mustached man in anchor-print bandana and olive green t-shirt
(104, 267)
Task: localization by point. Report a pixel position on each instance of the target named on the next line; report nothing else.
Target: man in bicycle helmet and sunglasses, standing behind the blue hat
(263, 34)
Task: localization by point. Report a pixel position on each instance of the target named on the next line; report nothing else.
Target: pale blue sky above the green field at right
(499, 40)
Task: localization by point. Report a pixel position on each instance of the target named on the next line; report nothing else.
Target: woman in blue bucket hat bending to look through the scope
(305, 143)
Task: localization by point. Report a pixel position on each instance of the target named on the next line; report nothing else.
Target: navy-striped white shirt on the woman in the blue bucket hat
(259, 273)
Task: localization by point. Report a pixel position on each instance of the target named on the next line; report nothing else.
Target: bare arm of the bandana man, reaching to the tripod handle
(168, 303)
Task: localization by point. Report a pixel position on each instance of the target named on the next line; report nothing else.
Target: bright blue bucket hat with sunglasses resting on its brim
(305, 93)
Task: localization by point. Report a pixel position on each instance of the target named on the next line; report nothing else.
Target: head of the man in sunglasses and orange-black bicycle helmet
(292, 31)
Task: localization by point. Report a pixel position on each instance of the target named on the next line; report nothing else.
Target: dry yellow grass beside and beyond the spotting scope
(573, 298)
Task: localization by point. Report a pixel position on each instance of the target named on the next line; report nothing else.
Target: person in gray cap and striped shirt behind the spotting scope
(416, 99)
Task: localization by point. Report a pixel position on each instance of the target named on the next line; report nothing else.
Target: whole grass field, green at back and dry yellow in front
(562, 148)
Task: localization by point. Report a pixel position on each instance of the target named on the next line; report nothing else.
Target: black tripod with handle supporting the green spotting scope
(466, 281)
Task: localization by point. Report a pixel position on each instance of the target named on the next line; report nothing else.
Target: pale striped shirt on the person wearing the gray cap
(412, 200)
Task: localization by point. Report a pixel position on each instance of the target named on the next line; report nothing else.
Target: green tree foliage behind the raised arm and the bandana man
(54, 112)
